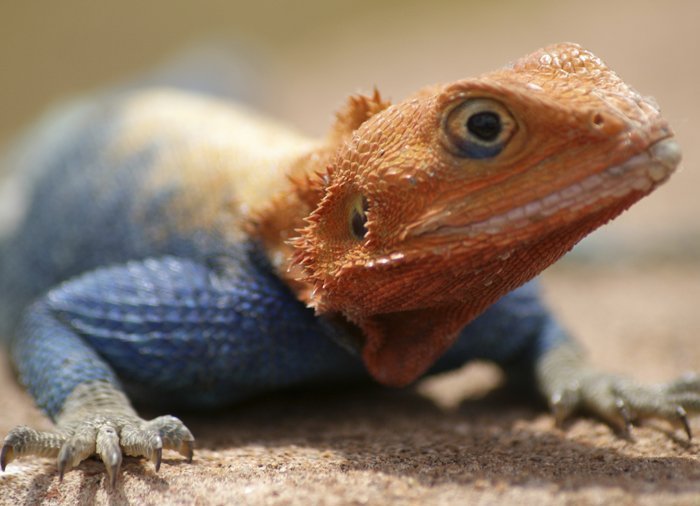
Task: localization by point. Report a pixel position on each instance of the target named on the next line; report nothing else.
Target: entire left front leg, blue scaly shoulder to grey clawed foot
(196, 334)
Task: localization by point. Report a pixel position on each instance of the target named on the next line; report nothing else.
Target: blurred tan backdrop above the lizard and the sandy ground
(299, 60)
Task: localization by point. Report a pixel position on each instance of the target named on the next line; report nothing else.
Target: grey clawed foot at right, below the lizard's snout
(570, 385)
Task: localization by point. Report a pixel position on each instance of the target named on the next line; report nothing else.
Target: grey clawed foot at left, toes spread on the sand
(109, 436)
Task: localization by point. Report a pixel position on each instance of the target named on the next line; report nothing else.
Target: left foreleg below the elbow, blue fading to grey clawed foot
(79, 390)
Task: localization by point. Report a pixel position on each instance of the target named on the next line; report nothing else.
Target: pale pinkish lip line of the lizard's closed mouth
(639, 174)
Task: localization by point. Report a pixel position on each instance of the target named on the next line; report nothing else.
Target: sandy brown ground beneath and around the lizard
(452, 440)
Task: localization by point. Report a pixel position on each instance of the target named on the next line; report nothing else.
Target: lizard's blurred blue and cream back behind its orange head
(142, 174)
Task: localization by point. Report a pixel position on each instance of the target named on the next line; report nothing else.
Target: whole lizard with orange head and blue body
(180, 250)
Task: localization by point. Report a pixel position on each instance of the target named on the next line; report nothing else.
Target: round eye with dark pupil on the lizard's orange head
(478, 128)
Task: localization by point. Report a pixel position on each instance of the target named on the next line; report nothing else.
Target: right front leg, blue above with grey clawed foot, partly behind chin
(520, 334)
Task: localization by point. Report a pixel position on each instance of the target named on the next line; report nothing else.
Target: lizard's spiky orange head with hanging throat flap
(435, 207)
